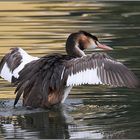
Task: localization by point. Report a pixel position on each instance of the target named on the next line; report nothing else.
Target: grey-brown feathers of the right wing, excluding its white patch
(109, 71)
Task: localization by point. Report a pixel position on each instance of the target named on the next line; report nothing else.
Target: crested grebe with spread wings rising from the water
(47, 81)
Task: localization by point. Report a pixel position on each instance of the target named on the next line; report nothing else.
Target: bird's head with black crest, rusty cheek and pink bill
(79, 41)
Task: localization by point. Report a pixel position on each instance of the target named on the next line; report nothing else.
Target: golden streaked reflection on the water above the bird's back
(40, 24)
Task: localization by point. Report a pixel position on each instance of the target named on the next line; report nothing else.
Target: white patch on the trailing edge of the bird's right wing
(88, 76)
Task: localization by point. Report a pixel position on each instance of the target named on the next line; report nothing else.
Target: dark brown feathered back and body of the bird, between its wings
(40, 82)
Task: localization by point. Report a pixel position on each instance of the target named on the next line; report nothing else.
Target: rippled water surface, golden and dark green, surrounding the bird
(41, 27)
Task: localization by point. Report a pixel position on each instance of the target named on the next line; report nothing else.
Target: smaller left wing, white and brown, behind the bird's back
(13, 62)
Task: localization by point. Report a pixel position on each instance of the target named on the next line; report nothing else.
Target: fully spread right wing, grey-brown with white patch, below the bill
(98, 68)
